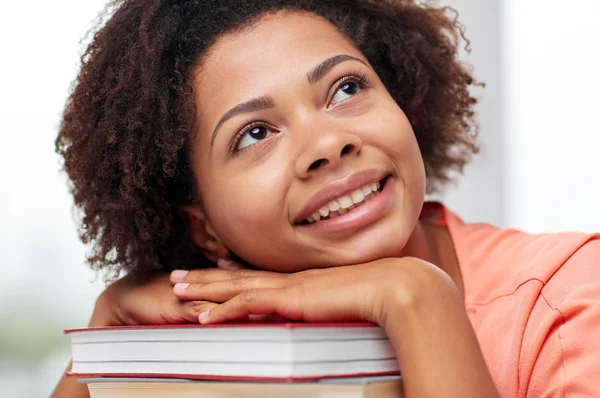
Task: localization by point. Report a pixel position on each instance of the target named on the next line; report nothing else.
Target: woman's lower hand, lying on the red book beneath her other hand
(150, 302)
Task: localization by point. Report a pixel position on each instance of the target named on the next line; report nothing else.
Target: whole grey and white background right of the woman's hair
(540, 124)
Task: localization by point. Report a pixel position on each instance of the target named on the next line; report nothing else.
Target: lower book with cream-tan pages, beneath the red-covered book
(373, 387)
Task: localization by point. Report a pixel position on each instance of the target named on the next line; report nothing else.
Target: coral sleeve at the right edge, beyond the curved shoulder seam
(567, 363)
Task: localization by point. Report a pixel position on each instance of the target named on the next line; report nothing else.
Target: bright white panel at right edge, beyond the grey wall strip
(552, 69)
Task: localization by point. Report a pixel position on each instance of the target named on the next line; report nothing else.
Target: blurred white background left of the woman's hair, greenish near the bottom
(44, 284)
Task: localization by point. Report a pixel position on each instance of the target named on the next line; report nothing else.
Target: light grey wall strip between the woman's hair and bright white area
(478, 196)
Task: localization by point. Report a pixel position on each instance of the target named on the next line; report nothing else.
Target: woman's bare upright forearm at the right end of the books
(434, 341)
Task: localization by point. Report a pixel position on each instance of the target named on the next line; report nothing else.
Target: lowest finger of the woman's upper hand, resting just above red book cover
(250, 302)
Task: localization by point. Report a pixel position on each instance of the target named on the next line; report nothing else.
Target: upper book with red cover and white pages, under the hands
(241, 352)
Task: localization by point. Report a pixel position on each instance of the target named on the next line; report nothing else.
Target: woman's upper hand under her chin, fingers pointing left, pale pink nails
(358, 292)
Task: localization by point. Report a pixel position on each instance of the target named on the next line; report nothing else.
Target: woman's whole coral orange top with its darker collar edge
(534, 303)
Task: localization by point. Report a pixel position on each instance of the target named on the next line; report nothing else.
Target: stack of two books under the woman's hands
(236, 360)
